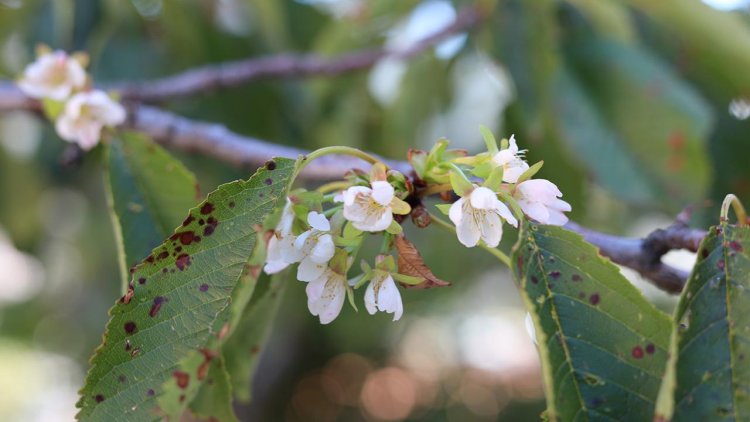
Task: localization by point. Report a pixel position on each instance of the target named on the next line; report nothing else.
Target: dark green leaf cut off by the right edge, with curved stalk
(709, 374)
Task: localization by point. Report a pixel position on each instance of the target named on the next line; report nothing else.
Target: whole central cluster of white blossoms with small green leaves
(321, 231)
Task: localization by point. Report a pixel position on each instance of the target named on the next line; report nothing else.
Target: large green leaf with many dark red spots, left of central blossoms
(182, 304)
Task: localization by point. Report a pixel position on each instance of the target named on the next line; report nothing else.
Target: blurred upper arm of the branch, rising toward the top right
(281, 66)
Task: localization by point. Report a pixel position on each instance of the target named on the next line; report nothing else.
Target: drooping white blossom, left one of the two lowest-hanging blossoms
(326, 295)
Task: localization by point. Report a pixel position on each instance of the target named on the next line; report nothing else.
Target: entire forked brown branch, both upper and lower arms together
(217, 141)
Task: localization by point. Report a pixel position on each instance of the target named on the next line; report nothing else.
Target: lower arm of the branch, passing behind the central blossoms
(215, 140)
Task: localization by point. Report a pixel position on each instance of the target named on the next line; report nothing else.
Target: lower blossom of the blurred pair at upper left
(85, 115)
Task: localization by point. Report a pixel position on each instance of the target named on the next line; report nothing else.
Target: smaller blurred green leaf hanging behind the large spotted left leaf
(148, 192)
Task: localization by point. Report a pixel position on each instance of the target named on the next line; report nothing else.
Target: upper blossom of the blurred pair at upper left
(53, 75)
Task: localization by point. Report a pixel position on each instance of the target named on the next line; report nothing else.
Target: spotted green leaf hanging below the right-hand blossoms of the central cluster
(603, 346)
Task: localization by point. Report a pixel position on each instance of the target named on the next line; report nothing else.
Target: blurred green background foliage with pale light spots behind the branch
(639, 108)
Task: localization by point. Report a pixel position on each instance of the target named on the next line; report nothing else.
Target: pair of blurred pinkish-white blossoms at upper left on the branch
(60, 81)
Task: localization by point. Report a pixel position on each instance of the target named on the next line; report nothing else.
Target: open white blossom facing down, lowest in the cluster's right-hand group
(480, 215)
